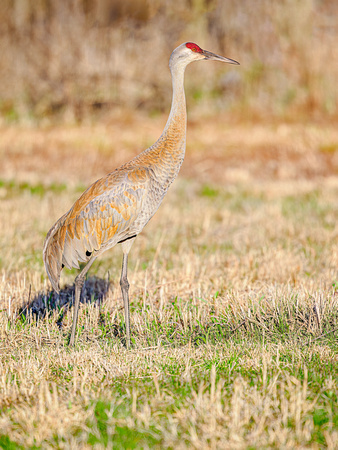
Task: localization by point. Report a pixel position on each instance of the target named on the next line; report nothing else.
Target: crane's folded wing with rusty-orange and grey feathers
(106, 213)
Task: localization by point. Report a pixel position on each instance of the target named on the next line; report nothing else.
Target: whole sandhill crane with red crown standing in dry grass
(115, 208)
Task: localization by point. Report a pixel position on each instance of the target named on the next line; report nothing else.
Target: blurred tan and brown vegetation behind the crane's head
(73, 60)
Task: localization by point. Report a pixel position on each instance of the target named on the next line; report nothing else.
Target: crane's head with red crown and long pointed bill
(189, 52)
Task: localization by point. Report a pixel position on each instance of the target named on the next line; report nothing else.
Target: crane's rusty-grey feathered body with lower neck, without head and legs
(116, 207)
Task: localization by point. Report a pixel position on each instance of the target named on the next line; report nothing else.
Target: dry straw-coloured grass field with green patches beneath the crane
(234, 293)
